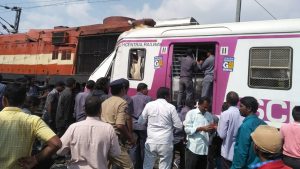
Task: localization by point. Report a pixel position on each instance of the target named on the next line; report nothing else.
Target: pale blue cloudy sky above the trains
(43, 14)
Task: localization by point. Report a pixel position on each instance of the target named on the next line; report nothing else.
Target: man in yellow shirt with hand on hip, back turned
(19, 130)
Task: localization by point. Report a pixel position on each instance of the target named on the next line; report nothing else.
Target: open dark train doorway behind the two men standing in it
(199, 53)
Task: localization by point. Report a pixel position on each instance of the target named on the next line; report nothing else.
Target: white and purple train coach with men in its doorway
(256, 59)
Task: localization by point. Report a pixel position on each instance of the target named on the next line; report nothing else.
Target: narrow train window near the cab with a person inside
(136, 64)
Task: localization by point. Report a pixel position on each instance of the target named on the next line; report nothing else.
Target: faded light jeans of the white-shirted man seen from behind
(162, 151)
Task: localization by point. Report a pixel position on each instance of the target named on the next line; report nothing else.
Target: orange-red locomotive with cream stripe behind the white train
(60, 52)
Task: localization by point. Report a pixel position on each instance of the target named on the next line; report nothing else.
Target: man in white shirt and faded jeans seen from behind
(162, 118)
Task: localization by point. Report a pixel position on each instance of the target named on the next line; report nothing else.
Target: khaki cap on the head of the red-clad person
(267, 138)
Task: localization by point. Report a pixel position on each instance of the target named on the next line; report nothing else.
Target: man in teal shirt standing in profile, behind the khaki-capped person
(244, 154)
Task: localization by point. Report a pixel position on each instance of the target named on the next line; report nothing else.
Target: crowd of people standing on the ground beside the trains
(102, 127)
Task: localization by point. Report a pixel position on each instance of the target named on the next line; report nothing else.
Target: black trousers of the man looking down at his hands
(194, 161)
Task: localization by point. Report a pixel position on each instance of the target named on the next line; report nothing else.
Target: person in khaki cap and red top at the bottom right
(268, 145)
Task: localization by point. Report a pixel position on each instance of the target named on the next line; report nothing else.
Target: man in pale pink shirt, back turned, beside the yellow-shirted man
(89, 148)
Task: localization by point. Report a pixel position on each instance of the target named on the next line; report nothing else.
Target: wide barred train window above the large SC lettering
(270, 68)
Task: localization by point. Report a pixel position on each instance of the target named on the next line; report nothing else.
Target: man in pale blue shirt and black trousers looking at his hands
(198, 123)
